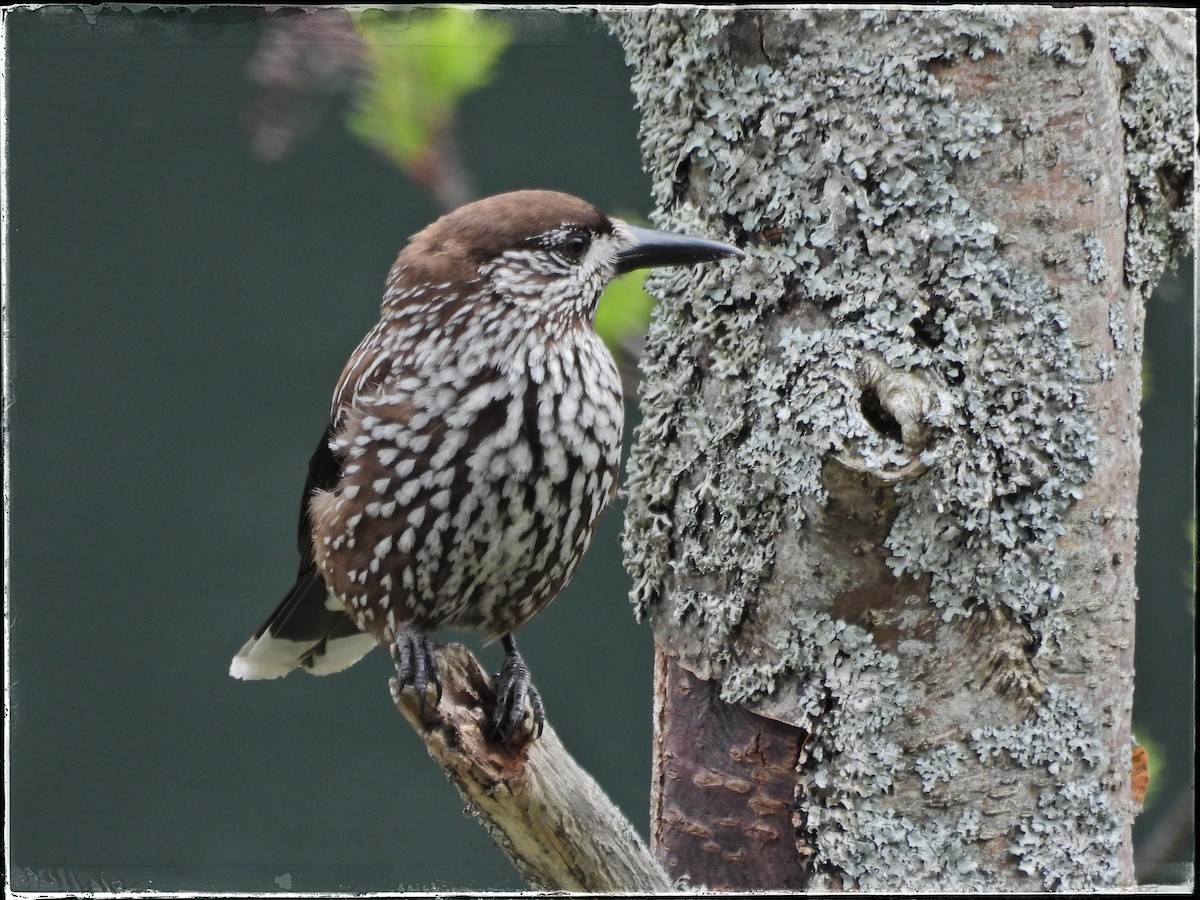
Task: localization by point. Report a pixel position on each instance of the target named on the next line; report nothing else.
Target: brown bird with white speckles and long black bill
(473, 442)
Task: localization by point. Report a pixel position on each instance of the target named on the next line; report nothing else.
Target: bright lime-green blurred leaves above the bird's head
(421, 64)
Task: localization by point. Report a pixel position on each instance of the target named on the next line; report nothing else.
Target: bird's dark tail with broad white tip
(309, 629)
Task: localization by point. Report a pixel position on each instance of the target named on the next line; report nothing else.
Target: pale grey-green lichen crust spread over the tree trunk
(836, 170)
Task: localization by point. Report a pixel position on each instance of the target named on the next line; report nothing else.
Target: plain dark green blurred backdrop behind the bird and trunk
(178, 315)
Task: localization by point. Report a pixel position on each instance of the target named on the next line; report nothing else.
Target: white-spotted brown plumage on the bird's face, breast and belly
(481, 430)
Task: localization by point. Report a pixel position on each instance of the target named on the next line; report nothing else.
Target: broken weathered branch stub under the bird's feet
(544, 812)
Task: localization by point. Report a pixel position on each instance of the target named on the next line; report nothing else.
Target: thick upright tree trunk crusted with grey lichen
(883, 501)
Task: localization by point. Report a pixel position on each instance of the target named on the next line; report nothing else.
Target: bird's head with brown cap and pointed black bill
(541, 253)
